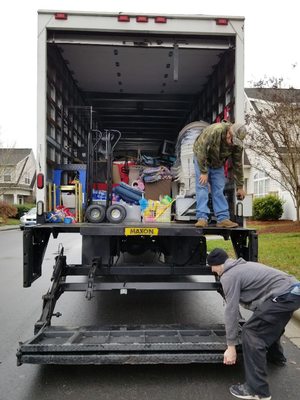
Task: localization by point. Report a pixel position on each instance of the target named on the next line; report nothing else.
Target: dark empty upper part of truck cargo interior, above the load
(147, 87)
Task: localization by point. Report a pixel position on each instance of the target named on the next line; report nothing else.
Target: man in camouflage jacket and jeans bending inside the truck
(212, 148)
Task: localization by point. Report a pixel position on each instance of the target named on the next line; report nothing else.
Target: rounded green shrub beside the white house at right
(266, 208)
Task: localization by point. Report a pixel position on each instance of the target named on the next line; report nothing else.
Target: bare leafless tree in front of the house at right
(274, 135)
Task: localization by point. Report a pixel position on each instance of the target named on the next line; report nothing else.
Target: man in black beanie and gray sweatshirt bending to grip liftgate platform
(273, 296)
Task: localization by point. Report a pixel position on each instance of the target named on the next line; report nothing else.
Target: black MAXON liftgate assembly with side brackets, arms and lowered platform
(147, 344)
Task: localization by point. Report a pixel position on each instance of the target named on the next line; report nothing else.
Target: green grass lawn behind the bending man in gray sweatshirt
(278, 250)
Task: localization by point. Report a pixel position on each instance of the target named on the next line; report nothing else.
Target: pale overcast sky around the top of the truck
(271, 47)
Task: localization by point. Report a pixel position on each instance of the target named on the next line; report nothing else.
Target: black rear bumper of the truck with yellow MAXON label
(183, 244)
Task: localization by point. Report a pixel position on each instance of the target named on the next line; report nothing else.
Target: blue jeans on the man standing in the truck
(216, 180)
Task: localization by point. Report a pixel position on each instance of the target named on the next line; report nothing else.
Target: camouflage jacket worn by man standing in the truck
(212, 150)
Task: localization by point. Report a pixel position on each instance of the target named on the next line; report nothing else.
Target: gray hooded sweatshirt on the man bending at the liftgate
(249, 284)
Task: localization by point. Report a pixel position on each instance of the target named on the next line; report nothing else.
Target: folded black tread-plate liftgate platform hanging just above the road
(123, 345)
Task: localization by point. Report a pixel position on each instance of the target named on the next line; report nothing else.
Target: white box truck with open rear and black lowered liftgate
(145, 76)
